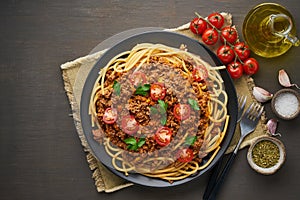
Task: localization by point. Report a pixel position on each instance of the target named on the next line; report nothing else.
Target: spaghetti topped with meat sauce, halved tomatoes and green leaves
(191, 106)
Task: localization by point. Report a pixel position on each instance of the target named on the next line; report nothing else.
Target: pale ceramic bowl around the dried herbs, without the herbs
(270, 170)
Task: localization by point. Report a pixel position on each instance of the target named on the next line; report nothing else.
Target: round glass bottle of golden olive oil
(269, 30)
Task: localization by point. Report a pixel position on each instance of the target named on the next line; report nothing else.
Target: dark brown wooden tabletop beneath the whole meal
(40, 153)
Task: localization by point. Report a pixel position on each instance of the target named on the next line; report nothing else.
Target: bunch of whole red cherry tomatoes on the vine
(233, 53)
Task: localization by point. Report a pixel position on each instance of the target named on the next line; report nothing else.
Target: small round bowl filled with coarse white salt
(286, 104)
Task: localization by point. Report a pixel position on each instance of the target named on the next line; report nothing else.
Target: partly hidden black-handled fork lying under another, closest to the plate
(212, 179)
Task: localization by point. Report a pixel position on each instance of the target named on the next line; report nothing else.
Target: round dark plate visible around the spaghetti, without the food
(170, 39)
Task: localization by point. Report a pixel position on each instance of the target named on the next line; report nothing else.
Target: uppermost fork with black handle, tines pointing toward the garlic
(248, 123)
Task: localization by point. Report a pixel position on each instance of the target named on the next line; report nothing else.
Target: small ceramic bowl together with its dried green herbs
(266, 155)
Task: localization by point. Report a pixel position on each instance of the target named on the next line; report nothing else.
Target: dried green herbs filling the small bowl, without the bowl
(265, 154)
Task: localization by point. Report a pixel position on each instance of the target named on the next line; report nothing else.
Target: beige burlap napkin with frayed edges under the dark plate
(74, 75)
